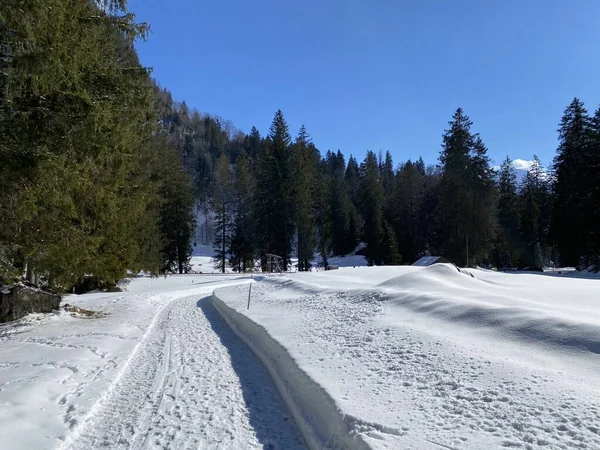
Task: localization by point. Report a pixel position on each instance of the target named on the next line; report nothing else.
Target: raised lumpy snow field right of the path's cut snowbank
(434, 358)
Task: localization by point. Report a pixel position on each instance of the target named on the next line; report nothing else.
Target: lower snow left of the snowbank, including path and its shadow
(157, 368)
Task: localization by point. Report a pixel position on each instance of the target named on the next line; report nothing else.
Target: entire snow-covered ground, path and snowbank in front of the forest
(366, 357)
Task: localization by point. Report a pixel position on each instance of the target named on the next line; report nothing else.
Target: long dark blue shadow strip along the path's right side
(274, 427)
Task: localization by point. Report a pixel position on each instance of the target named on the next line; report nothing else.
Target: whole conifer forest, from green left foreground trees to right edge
(103, 172)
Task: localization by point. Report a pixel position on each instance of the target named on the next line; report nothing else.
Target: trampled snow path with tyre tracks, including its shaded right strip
(191, 384)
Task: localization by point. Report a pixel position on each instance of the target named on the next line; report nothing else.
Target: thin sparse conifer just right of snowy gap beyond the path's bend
(222, 201)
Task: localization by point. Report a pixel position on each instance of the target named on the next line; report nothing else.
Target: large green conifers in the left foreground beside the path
(89, 185)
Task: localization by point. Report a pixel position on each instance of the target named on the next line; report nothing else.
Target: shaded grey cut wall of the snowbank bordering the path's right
(321, 422)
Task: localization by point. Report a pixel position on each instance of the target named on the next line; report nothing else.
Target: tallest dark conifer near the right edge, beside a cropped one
(567, 229)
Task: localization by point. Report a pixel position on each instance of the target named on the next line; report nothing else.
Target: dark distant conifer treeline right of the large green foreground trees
(278, 194)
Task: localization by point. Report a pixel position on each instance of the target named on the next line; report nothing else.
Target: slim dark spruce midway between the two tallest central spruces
(372, 197)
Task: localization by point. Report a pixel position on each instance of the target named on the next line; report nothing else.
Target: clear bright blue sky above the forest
(381, 74)
